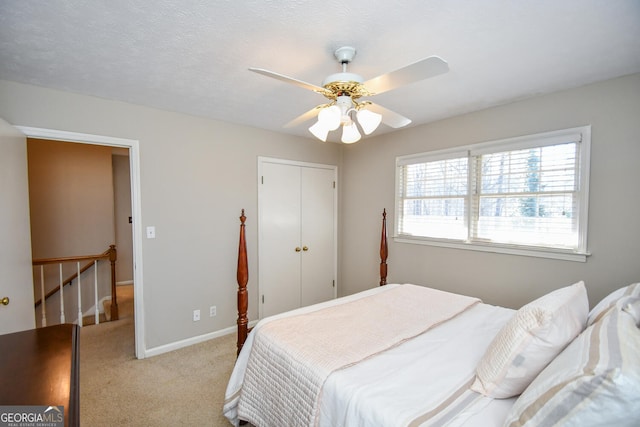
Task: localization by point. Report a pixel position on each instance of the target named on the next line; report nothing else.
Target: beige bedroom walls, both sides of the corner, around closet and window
(197, 174)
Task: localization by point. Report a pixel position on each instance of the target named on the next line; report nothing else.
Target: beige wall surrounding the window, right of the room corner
(613, 110)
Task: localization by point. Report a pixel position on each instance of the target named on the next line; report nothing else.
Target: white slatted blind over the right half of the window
(527, 196)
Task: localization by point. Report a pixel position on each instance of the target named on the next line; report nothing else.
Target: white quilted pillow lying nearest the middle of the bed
(536, 334)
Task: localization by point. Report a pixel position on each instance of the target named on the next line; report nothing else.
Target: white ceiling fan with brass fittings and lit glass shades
(345, 89)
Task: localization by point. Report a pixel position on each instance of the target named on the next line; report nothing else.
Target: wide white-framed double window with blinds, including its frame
(525, 195)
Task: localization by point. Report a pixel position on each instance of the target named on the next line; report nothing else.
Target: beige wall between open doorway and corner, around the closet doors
(196, 175)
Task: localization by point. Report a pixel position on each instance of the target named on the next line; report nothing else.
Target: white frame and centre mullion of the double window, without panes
(583, 133)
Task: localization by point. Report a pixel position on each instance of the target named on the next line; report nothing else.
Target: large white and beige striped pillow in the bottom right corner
(595, 381)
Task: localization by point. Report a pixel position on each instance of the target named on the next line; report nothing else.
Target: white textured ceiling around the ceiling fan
(192, 56)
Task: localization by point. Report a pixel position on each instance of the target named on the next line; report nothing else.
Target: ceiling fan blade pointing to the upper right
(423, 69)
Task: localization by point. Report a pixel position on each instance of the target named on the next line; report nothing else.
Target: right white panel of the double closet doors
(317, 235)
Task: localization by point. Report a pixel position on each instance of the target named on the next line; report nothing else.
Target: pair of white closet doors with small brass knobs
(297, 232)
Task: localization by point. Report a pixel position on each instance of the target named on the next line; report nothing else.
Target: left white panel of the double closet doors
(280, 267)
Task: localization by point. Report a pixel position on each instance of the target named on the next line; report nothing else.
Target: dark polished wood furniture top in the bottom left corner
(41, 367)
